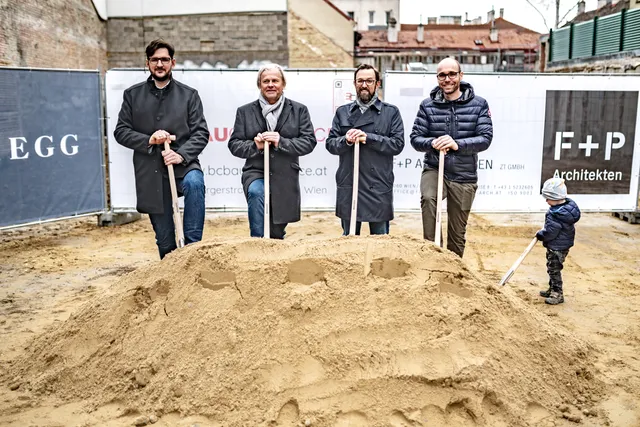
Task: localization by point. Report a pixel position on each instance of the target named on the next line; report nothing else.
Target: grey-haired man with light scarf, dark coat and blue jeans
(286, 126)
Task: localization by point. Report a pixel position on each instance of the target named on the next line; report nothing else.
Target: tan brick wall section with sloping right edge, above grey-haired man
(309, 48)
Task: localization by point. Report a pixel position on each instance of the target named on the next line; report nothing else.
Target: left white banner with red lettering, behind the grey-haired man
(222, 92)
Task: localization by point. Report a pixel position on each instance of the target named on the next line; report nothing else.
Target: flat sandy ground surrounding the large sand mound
(49, 271)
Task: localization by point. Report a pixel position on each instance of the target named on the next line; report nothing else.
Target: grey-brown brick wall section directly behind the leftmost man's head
(228, 38)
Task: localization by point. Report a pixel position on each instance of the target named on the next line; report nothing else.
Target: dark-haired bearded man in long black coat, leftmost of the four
(153, 112)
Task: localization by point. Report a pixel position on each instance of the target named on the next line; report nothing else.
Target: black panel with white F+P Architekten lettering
(589, 138)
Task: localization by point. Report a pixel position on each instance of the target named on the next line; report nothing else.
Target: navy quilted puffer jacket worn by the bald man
(467, 120)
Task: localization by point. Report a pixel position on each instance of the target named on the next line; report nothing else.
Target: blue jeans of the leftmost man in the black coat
(192, 187)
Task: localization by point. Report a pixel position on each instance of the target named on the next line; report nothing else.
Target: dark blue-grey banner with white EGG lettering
(51, 151)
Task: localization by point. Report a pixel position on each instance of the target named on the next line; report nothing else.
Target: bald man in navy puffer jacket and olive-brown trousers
(458, 122)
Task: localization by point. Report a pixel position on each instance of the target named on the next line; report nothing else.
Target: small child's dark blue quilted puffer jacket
(559, 231)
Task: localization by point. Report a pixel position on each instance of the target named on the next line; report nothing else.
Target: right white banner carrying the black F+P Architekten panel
(584, 128)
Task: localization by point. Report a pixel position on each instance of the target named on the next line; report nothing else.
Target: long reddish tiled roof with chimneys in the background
(454, 37)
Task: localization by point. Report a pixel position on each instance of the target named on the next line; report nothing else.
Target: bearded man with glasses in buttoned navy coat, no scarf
(378, 127)
